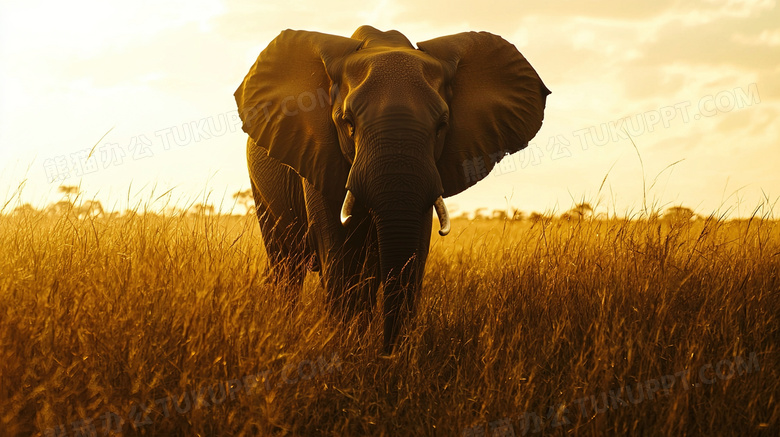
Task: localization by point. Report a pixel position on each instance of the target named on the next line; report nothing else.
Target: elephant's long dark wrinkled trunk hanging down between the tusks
(397, 180)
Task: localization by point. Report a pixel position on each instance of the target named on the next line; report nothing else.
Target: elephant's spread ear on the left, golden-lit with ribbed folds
(285, 105)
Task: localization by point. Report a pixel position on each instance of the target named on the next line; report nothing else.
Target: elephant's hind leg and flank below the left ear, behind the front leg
(281, 212)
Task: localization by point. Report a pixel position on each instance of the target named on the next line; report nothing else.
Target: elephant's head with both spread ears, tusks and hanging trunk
(371, 120)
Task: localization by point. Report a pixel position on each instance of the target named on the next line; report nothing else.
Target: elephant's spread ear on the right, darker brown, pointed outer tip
(496, 104)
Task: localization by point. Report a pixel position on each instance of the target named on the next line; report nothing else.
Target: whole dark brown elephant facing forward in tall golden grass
(355, 141)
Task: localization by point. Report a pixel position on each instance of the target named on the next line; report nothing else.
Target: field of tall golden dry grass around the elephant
(165, 325)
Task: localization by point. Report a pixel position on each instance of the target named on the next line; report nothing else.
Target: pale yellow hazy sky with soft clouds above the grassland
(653, 104)
